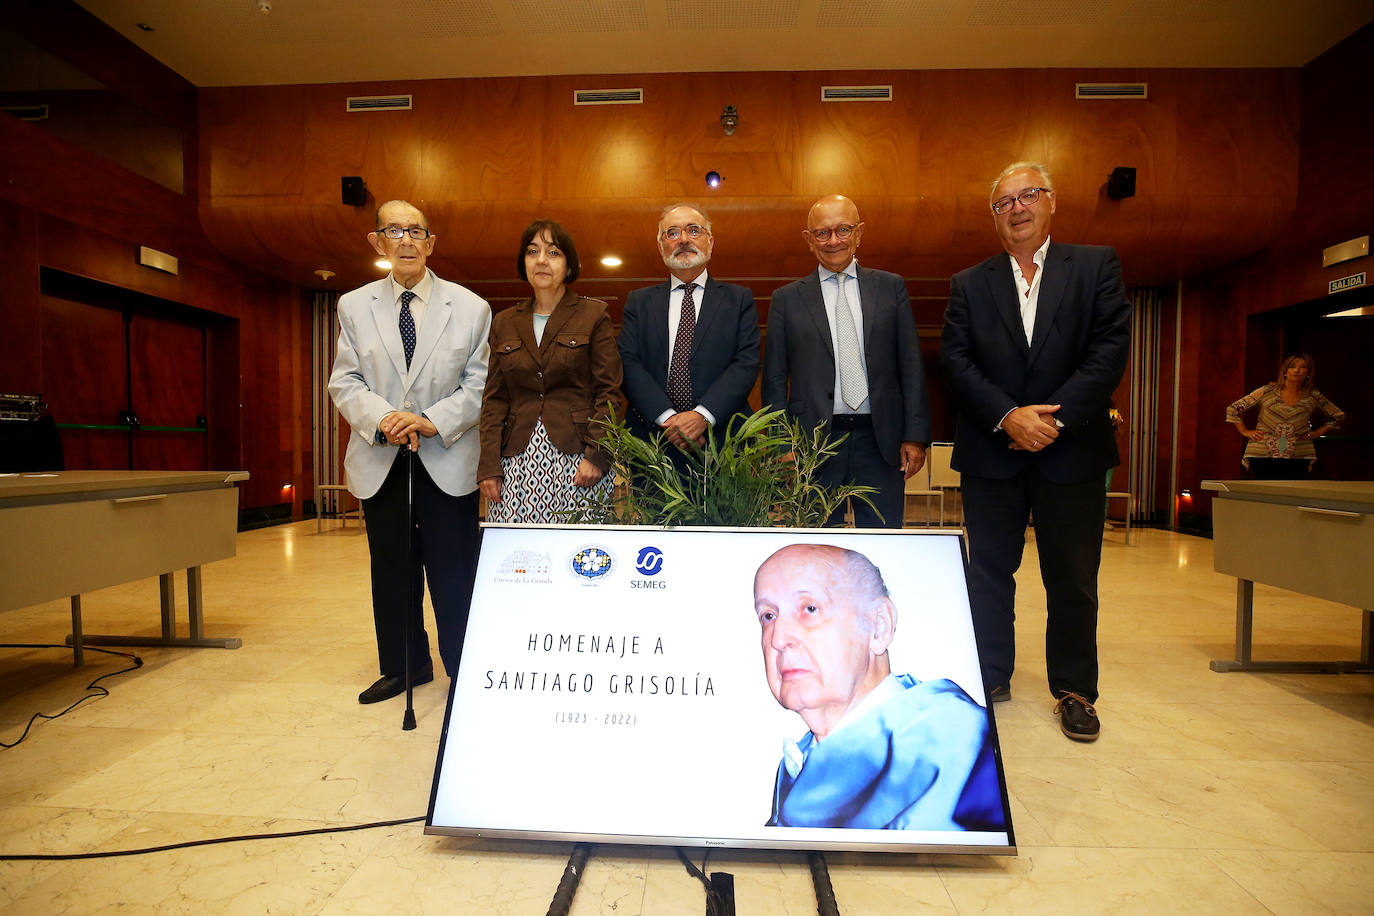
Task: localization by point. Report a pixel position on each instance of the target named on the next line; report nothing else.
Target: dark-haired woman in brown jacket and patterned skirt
(554, 369)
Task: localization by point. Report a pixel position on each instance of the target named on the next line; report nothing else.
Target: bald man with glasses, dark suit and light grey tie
(881, 400)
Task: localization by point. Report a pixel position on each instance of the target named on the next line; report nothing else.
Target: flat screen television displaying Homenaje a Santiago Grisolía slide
(777, 689)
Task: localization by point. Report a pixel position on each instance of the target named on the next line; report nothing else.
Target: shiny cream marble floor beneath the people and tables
(1207, 794)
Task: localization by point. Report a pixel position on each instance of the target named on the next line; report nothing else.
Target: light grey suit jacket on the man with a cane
(446, 380)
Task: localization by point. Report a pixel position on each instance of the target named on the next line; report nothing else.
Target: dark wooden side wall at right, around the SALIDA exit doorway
(1336, 203)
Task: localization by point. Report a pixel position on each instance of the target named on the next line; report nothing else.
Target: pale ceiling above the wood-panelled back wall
(221, 43)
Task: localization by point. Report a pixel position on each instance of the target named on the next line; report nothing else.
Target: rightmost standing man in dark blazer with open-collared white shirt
(1035, 343)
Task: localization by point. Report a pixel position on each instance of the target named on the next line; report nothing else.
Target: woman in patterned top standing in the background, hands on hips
(1284, 428)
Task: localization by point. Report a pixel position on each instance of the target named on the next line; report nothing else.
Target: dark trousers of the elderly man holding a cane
(446, 550)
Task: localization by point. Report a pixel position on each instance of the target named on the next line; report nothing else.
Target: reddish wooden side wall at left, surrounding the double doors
(67, 209)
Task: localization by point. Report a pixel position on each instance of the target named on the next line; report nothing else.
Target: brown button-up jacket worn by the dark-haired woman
(568, 381)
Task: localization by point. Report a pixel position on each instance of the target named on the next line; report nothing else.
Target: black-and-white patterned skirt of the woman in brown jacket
(539, 484)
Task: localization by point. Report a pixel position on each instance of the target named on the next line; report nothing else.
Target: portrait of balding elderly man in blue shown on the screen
(884, 752)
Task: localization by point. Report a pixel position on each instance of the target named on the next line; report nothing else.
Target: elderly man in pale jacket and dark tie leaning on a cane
(409, 376)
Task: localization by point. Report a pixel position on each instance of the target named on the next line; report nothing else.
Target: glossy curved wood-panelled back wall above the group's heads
(483, 157)
